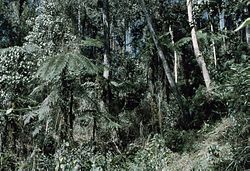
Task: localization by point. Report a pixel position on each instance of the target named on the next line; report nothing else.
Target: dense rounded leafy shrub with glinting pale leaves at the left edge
(17, 68)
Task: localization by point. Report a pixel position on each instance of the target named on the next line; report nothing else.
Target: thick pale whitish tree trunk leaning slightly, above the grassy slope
(198, 54)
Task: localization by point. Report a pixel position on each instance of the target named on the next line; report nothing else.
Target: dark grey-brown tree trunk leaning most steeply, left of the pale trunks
(165, 64)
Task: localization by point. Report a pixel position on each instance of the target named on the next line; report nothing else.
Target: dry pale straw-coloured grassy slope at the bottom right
(210, 148)
